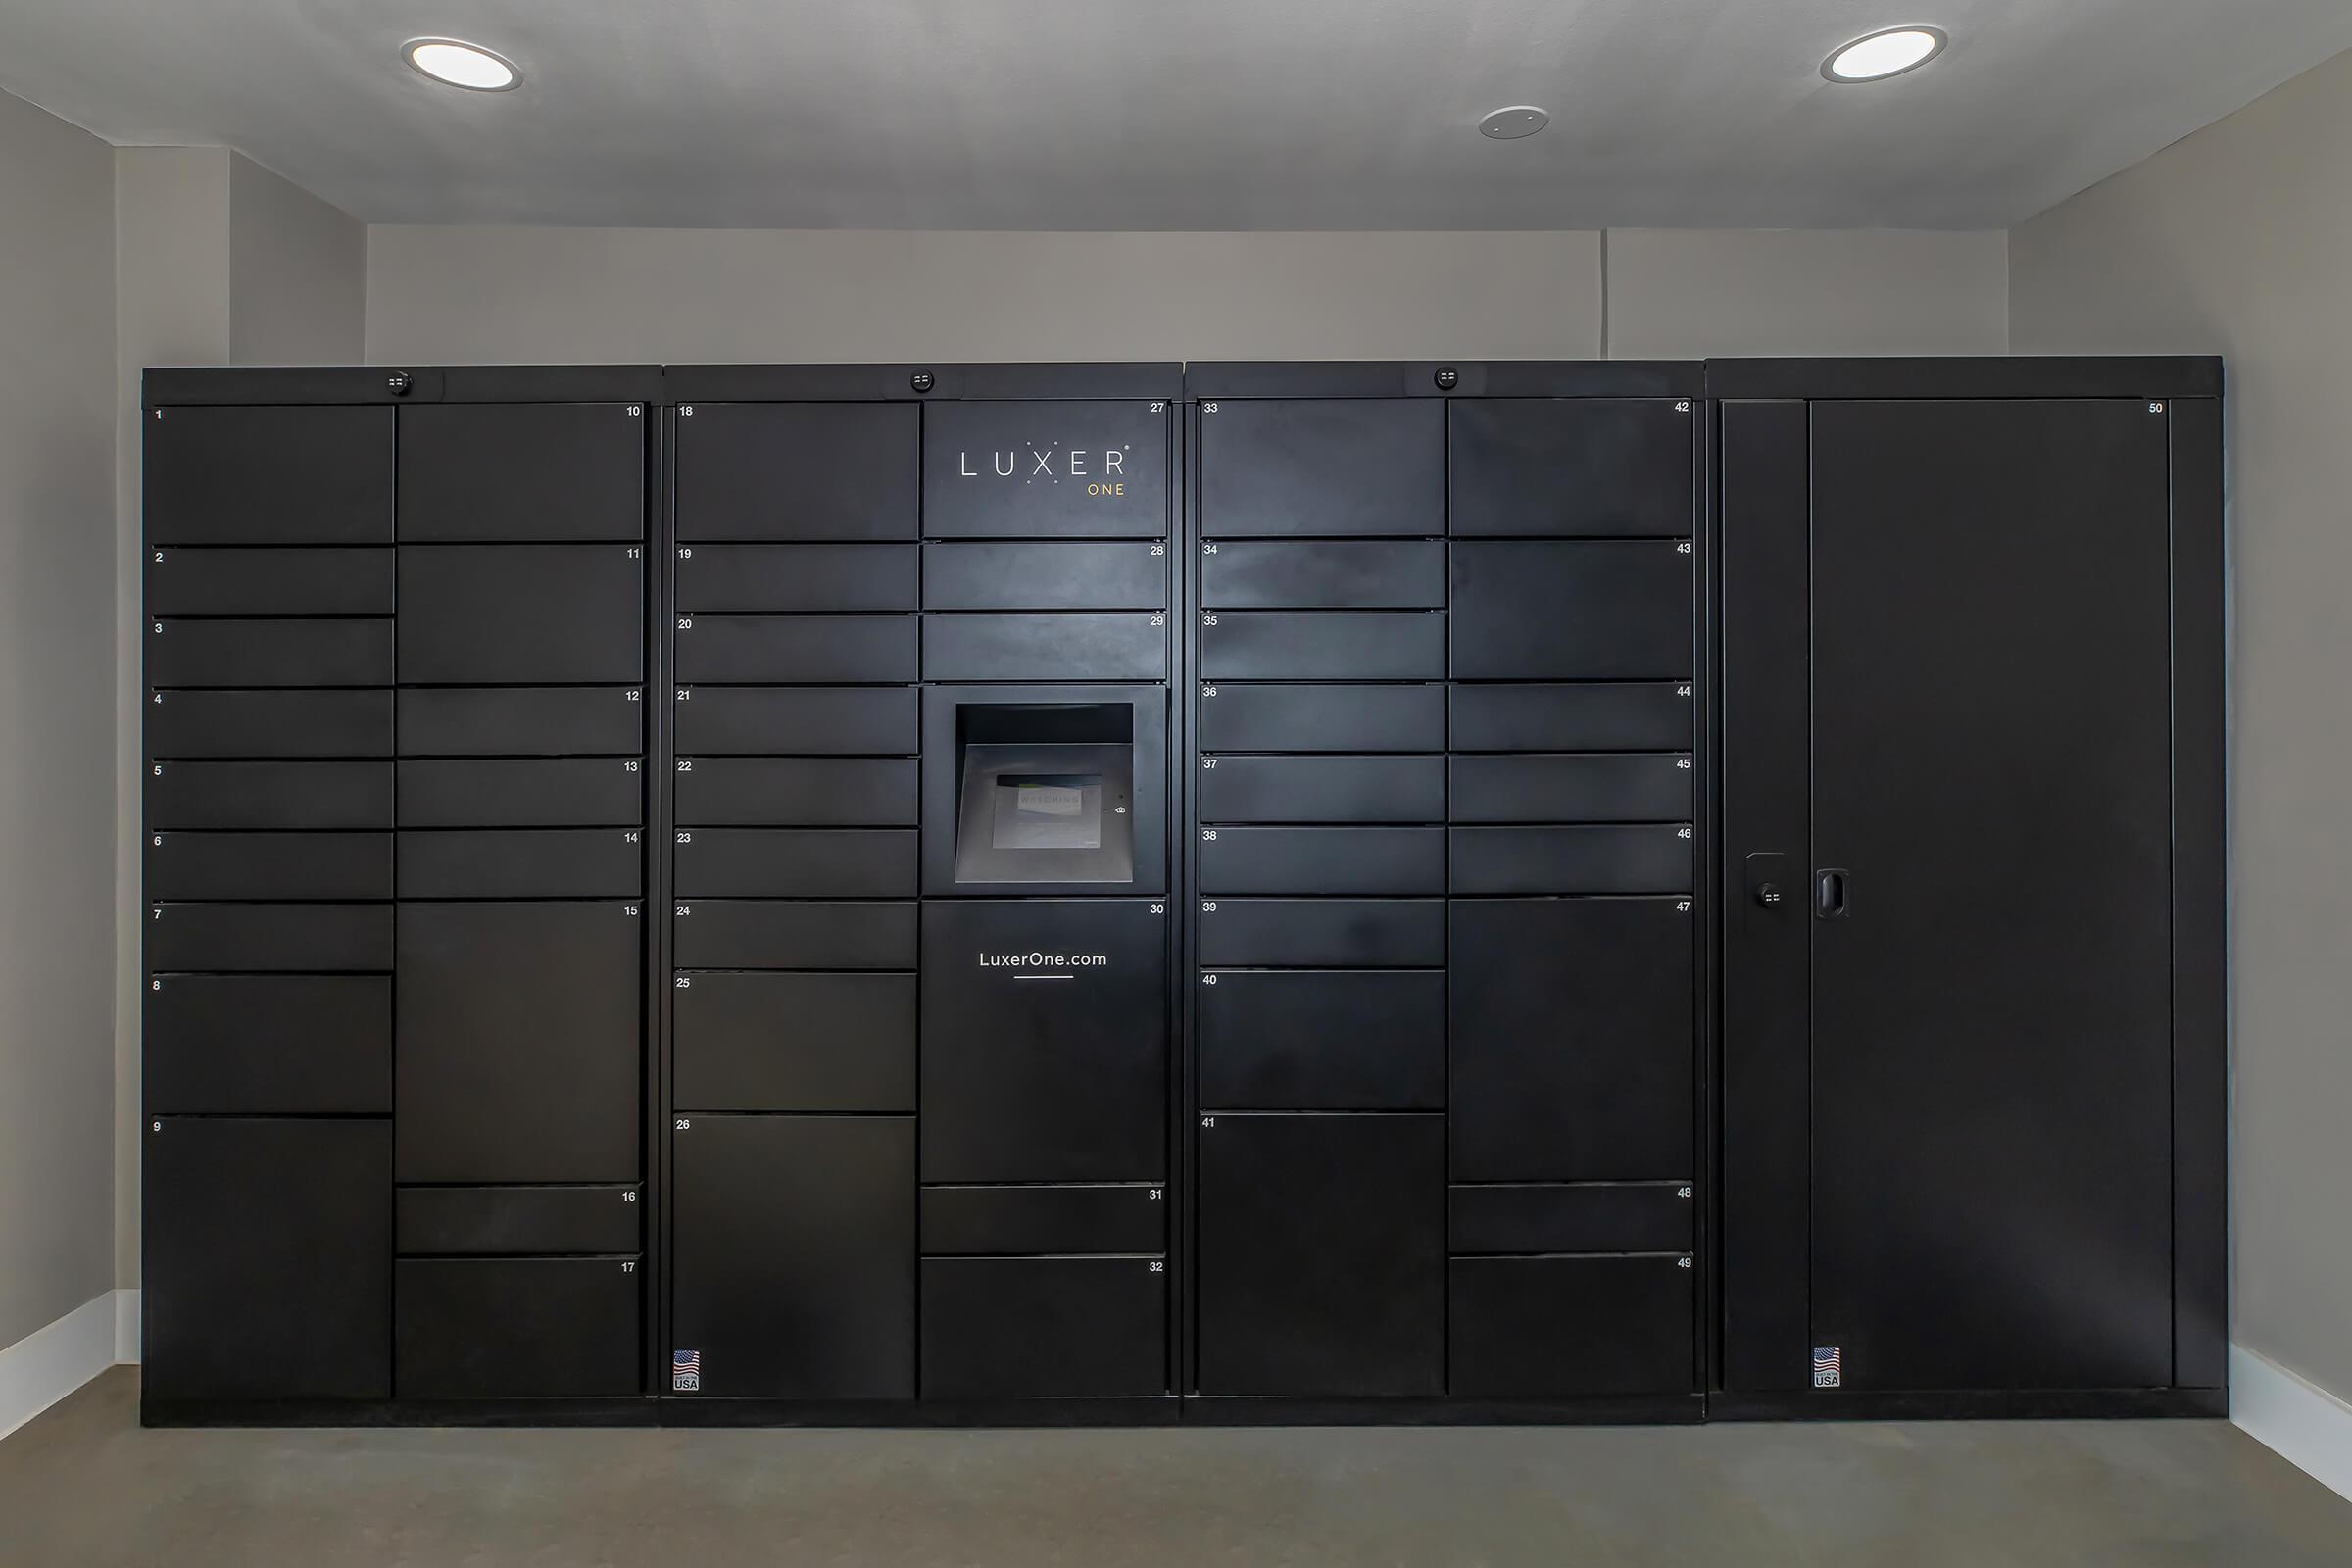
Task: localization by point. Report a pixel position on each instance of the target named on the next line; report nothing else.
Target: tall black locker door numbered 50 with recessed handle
(1991, 1120)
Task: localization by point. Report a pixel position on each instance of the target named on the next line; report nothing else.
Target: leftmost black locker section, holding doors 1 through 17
(396, 934)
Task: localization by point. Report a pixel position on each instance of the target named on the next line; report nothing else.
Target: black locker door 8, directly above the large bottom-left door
(269, 1045)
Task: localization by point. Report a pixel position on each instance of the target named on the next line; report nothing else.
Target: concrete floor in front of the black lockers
(83, 1487)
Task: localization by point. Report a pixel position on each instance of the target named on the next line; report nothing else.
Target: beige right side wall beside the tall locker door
(2240, 241)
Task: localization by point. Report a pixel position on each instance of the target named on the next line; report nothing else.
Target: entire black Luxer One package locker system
(1229, 892)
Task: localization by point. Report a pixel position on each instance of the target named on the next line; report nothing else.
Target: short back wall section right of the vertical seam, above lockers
(1720, 295)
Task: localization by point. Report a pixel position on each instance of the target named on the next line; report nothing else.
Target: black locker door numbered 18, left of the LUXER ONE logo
(799, 471)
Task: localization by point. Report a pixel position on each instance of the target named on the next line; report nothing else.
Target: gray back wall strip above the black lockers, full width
(681, 295)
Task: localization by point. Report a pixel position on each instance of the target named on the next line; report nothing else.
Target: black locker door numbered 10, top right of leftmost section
(521, 471)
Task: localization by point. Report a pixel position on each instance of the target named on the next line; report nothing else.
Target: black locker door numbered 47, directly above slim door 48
(1572, 1040)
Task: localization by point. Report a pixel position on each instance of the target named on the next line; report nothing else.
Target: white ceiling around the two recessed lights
(1168, 114)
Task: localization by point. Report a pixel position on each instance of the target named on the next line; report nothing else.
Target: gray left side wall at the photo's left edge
(58, 737)
